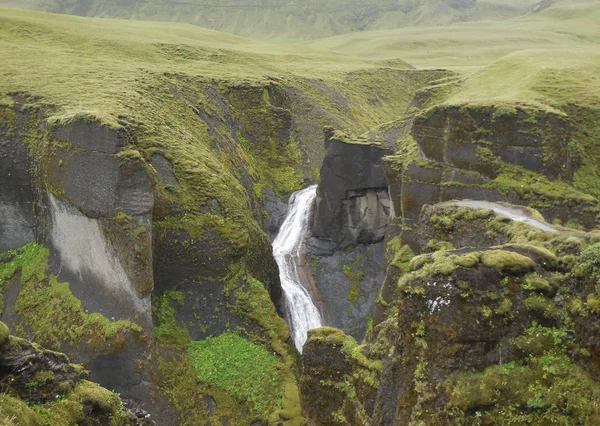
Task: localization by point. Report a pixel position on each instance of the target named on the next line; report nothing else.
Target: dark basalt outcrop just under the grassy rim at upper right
(452, 135)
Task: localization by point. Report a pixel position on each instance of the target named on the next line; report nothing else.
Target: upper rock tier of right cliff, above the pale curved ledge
(520, 156)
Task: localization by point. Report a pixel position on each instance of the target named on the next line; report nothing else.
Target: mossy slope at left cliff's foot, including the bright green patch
(227, 366)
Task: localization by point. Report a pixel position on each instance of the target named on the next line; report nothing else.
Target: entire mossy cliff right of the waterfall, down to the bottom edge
(487, 305)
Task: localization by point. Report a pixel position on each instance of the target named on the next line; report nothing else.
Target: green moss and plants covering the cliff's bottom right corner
(545, 387)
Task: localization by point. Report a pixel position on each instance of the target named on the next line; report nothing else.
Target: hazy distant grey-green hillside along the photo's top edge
(290, 19)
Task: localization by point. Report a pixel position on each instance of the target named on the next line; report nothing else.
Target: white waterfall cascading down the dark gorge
(288, 250)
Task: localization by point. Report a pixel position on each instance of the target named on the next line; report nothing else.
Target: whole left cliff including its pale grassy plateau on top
(136, 213)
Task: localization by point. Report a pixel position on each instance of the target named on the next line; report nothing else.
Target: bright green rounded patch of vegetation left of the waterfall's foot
(241, 368)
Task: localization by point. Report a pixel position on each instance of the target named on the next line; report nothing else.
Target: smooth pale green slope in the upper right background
(565, 26)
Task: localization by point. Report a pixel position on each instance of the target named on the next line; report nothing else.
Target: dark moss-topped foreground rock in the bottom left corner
(61, 391)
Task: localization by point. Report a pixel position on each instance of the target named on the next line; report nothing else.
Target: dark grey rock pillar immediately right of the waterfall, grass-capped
(350, 218)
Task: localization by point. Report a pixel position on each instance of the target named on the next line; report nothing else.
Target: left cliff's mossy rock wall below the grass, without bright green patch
(121, 251)
